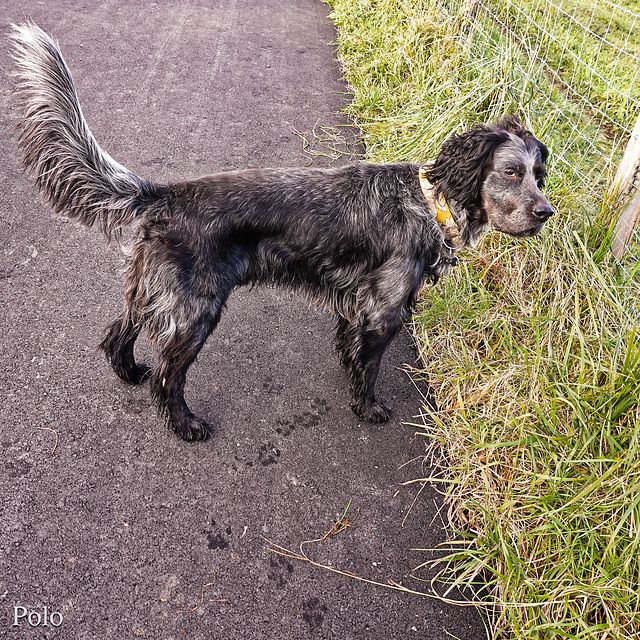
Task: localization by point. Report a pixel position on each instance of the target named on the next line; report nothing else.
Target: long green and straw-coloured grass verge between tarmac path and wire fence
(531, 346)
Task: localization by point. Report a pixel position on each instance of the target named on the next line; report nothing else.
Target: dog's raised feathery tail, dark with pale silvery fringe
(80, 180)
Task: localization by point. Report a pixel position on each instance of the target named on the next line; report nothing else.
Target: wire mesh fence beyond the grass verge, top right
(581, 63)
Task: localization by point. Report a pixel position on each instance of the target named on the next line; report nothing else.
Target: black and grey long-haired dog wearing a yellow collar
(359, 240)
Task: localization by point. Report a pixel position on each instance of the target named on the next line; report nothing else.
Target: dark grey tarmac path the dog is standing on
(121, 527)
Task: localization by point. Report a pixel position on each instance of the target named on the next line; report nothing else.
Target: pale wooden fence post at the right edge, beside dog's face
(624, 183)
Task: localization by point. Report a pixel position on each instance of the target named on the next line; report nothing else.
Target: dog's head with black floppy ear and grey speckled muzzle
(495, 173)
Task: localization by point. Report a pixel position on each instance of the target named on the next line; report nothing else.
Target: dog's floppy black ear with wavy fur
(458, 170)
